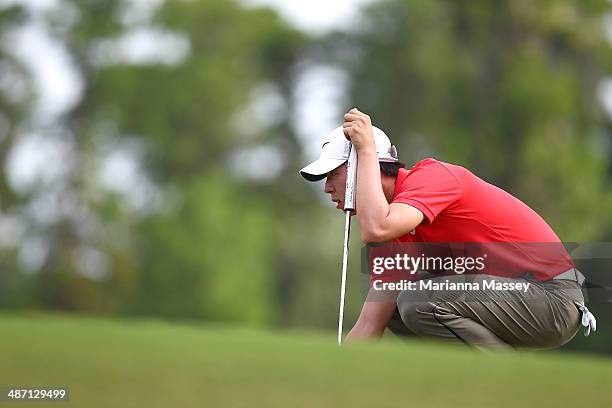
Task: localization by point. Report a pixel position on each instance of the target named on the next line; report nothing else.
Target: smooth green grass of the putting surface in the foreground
(136, 363)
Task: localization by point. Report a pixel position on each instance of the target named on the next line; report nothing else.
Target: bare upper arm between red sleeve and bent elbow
(402, 219)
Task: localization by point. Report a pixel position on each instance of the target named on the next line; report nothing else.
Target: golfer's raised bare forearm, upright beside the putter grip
(372, 206)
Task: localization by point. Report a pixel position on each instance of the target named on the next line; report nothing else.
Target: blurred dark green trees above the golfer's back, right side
(507, 89)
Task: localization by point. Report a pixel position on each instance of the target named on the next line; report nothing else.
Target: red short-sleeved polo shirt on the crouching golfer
(462, 208)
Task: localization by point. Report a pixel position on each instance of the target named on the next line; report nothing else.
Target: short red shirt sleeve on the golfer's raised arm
(429, 187)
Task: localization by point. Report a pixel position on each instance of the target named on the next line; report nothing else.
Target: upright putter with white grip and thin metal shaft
(349, 205)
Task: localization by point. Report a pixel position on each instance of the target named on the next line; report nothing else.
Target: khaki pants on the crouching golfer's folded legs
(545, 316)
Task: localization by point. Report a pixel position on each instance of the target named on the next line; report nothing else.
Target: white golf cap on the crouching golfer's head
(335, 151)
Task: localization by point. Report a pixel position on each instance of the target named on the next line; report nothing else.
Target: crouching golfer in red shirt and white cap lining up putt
(542, 305)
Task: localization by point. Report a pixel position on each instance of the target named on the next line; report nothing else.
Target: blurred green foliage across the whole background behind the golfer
(508, 89)
